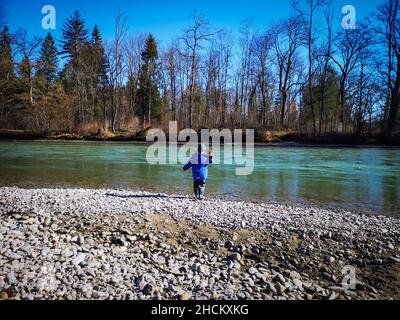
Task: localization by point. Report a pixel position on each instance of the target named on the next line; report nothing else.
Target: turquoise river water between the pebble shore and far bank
(362, 178)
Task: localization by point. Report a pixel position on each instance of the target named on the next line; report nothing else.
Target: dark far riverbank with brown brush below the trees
(260, 138)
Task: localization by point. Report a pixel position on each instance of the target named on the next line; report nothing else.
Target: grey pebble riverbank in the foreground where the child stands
(119, 244)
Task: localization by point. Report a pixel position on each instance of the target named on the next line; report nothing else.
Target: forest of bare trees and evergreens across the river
(304, 74)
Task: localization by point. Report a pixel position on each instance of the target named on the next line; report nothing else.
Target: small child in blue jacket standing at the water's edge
(199, 163)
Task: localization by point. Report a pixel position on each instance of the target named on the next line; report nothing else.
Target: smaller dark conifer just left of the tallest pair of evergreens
(48, 60)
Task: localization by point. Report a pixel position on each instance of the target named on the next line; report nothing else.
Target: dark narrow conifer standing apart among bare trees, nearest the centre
(149, 100)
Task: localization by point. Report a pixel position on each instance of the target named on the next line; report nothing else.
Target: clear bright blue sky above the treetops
(165, 19)
